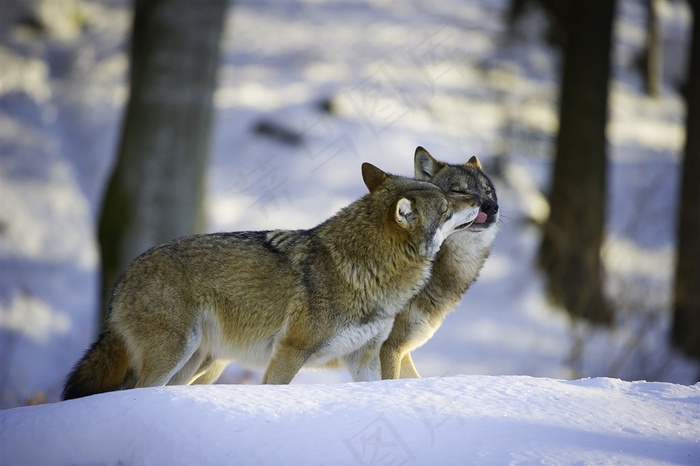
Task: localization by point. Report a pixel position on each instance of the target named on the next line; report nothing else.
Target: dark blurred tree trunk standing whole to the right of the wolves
(573, 234)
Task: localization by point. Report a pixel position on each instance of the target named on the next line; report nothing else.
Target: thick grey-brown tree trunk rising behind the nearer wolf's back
(156, 189)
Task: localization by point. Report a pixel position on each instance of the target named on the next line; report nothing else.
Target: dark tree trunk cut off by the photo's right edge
(686, 315)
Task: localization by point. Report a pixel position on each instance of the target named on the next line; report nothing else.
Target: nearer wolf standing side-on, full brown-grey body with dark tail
(278, 300)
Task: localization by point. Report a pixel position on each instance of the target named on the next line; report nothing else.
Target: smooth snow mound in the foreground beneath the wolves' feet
(462, 419)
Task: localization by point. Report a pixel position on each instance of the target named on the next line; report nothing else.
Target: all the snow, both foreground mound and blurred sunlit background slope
(397, 75)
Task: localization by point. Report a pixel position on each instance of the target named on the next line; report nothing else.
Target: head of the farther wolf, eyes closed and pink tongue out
(464, 184)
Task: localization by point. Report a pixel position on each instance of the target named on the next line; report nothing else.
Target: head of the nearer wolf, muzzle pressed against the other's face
(420, 209)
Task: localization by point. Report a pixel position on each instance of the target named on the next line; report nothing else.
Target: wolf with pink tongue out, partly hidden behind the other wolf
(456, 266)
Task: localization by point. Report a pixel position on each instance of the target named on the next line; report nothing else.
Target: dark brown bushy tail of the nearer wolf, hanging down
(103, 368)
